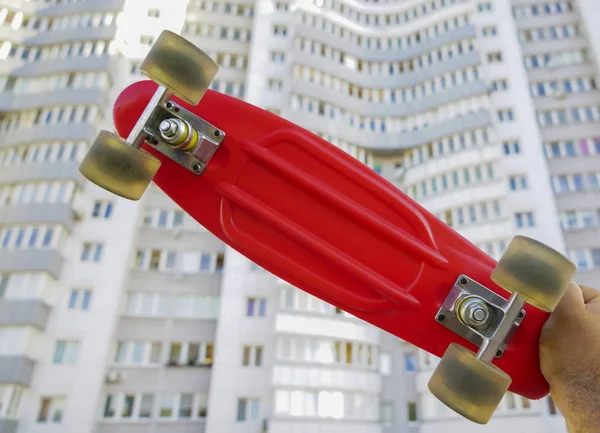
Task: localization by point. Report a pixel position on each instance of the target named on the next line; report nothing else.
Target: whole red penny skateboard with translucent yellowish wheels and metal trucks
(309, 213)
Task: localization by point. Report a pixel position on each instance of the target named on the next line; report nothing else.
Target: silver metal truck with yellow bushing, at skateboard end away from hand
(176, 132)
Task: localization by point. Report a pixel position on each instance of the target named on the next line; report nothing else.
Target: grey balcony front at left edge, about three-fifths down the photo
(50, 261)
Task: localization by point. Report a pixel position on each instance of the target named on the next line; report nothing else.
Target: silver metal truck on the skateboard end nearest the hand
(481, 316)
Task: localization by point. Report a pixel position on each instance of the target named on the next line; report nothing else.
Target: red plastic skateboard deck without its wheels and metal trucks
(309, 213)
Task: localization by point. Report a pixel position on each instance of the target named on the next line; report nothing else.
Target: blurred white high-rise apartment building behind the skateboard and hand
(129, 317)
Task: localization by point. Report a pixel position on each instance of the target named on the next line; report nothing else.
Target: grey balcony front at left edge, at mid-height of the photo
(51, 213)
